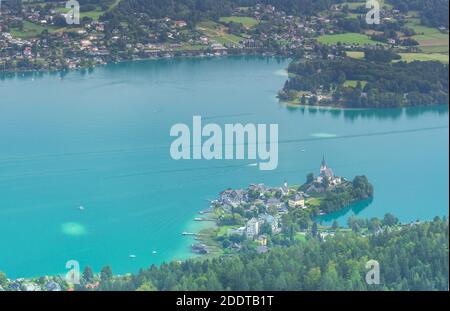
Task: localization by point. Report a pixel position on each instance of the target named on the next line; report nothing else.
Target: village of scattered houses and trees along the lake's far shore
(36, 36)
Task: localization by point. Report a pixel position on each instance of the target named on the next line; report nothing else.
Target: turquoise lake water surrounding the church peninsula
(101, 140)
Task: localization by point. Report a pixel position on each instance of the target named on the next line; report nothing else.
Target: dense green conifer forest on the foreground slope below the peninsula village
(411, 257)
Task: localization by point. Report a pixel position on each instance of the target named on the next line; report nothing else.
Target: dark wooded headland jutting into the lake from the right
(380, 84)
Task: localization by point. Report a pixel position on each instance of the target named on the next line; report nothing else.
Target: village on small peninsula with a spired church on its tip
(255, 218)
